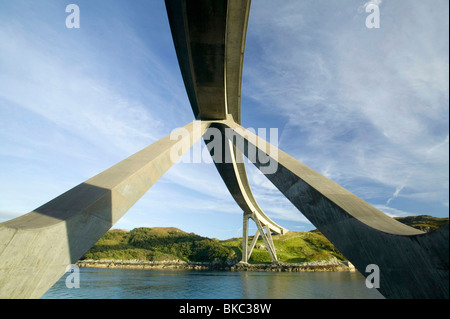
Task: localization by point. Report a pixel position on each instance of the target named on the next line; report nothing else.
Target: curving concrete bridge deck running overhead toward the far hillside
(209, 38)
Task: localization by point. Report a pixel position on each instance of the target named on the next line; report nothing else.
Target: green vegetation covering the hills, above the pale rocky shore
(162, 244)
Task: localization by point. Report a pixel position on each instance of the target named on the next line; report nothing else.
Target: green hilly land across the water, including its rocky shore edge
(172, 248)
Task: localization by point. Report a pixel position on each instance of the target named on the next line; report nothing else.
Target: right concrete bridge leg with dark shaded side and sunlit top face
(412, 264)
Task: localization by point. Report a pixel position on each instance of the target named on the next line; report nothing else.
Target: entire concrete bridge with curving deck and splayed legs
(209, 38)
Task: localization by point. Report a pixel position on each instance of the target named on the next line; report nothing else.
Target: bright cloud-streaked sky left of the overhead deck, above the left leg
(75, 102)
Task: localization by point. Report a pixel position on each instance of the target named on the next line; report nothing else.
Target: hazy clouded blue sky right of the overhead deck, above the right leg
(361, 107)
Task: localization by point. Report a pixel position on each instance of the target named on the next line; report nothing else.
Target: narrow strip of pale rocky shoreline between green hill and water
(321, 266)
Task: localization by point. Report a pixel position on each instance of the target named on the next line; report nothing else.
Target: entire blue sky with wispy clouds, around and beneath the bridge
(368, 108)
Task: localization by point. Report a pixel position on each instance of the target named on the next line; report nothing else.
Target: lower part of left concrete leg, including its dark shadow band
(39, 245)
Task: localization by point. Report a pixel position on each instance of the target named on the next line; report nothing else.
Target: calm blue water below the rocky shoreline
(161, 284)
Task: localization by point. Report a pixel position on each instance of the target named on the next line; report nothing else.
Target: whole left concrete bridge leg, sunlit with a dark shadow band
(36, 248)
